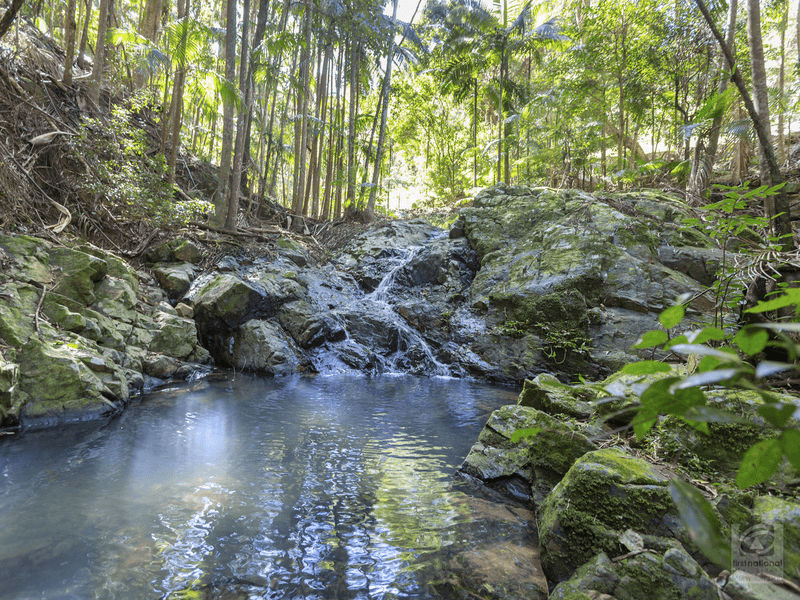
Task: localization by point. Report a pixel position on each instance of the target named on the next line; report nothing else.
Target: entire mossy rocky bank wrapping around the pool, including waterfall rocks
(529, 285)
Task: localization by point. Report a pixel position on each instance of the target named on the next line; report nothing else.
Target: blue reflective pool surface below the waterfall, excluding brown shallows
(315, 488)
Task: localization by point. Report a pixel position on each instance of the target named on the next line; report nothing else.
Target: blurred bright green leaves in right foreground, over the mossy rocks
(735, 365)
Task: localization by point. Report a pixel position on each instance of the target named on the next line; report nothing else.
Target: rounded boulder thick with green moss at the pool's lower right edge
(605, 493)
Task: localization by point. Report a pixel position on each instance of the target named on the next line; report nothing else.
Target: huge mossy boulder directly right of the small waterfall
(583, 277)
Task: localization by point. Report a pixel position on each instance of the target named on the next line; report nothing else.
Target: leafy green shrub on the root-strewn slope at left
(131, 181)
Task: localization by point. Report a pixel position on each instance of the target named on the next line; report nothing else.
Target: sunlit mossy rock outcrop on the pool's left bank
(80, 331)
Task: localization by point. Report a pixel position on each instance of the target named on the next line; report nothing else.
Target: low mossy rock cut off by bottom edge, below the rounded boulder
(649, 575)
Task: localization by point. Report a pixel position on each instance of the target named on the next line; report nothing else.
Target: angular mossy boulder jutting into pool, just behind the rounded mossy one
(528, 468)
